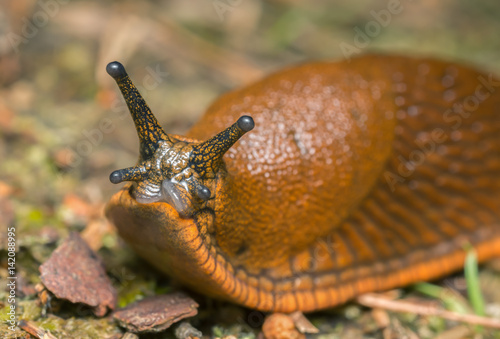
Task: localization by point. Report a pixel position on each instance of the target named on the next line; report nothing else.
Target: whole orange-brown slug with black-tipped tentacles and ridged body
(319, 183)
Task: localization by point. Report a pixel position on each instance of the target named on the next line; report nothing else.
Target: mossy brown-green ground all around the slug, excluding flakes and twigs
(63, 128)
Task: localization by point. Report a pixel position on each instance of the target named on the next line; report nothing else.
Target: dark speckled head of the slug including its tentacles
(171, 169)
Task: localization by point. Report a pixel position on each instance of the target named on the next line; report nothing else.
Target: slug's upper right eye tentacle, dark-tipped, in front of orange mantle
(207, 156)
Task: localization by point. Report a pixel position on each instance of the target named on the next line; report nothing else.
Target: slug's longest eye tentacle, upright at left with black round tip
(148, 128)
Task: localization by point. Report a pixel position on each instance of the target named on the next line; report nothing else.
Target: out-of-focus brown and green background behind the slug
(64, 126)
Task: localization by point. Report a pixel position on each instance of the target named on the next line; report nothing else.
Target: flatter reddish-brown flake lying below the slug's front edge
(155, 314)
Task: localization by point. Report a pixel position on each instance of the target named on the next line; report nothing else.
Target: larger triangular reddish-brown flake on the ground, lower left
(74, 272)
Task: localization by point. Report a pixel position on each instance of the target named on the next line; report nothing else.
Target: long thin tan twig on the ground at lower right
(378, 301)
